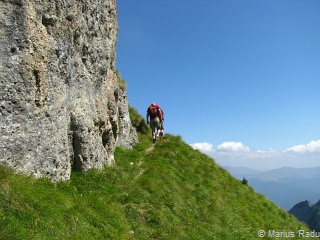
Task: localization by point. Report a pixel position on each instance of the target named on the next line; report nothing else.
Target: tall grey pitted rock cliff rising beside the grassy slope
(59, 93)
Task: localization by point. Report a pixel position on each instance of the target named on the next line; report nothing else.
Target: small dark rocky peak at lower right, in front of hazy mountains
(308, 213)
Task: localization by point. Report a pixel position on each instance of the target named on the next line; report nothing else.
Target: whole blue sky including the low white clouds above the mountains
(237, 79)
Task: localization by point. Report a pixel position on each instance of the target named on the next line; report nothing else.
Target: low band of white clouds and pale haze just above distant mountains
(236, 154)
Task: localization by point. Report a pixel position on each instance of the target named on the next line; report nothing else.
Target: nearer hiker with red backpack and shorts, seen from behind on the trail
(154, 112)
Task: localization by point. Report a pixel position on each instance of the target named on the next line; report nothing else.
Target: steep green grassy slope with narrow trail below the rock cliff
(171, 192)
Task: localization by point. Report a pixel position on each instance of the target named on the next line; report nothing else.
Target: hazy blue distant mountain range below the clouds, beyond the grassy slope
(284, 186)
